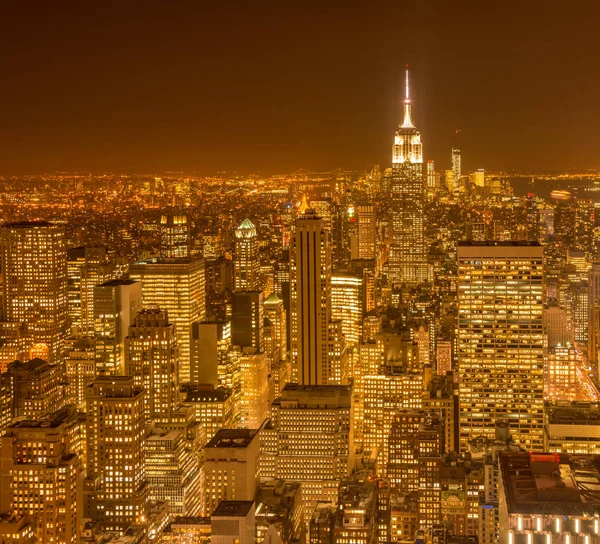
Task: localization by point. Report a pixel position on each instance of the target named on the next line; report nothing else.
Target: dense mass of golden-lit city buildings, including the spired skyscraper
(403, 356)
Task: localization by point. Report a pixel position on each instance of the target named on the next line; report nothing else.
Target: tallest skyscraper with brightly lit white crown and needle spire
(408, 258)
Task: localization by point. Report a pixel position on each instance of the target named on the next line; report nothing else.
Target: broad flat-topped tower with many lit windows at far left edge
(34, 284)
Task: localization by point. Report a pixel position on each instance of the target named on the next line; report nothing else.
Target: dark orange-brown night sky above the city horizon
(272, 86)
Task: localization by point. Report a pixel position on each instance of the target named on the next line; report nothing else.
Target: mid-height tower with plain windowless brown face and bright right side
(210, 343)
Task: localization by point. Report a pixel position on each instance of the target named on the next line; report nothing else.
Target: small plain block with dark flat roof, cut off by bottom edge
(233, 522)
